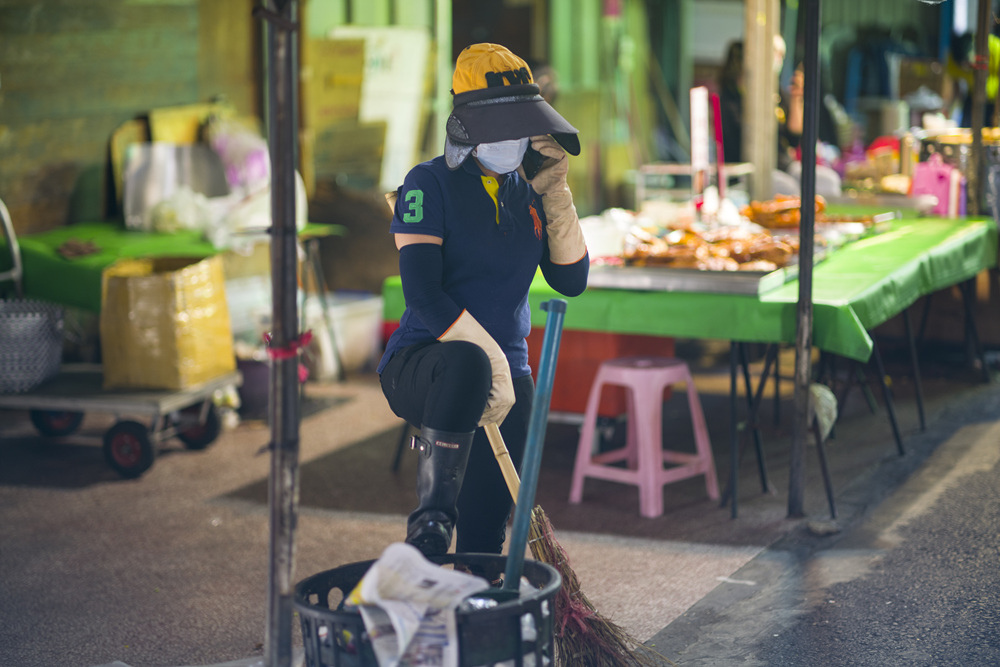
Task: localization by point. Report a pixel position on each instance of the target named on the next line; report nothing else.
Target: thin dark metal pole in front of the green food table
(803, 337)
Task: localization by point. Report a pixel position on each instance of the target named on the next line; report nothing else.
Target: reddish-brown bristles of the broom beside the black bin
(582, 635)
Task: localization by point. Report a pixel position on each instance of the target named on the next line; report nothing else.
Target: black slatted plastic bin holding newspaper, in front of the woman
(336, 637)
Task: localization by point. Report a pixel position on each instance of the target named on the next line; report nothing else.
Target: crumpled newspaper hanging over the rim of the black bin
(408, 607)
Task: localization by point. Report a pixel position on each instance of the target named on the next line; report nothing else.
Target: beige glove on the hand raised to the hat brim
(566, 242)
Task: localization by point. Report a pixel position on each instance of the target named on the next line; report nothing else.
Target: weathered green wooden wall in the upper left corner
(72, 72)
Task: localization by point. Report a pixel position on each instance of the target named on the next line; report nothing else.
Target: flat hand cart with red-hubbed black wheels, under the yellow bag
(57, 408)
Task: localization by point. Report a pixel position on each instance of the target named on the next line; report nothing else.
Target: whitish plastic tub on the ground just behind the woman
(356, 322)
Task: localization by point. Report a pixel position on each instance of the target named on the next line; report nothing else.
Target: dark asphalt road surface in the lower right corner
(912, 581)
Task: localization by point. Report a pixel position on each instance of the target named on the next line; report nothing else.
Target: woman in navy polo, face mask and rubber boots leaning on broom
(472, 229)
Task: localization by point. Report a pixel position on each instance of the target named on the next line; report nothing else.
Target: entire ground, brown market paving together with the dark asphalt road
(171, 569)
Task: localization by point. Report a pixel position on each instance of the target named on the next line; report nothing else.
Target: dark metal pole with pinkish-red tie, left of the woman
(282, 81)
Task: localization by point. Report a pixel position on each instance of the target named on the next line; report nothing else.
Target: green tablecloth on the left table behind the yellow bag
(76, 282)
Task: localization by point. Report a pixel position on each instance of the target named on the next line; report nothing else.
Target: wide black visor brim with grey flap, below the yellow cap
(502, 113)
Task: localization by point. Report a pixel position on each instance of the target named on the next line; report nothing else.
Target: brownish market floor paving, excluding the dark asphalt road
(171, 568)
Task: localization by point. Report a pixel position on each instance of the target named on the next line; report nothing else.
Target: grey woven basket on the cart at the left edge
(31, 335)
